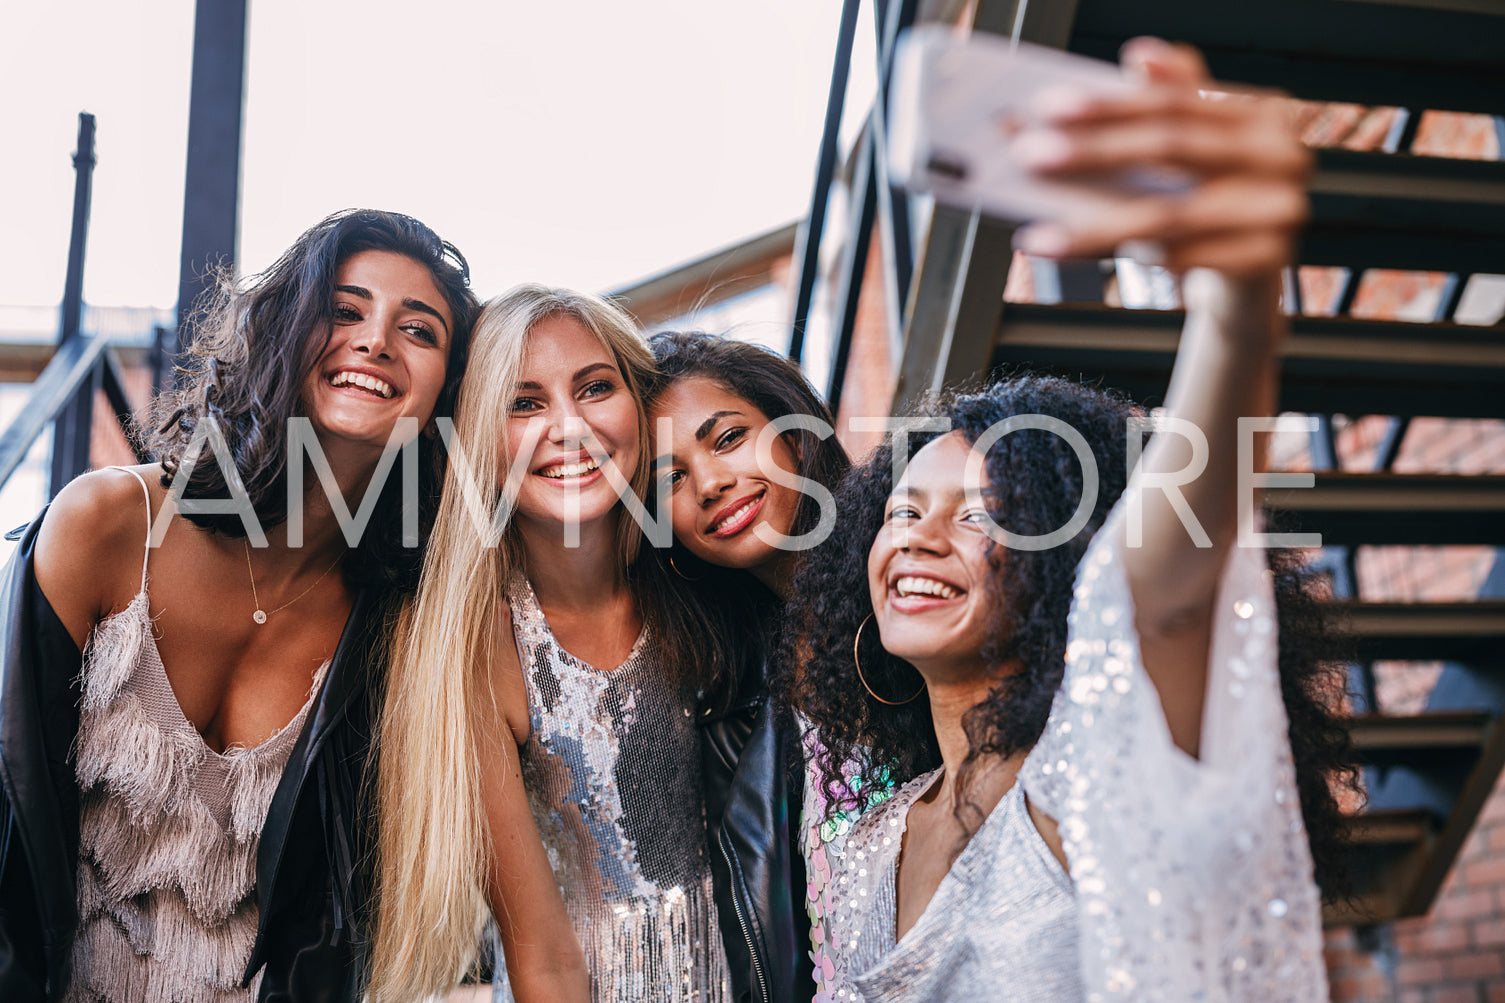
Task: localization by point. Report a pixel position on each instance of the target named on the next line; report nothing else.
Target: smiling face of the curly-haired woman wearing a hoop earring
(929, 567)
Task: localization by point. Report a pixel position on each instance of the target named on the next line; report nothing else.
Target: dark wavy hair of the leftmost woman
(254, 347)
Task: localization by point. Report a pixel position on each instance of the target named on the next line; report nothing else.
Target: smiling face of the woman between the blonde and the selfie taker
(720, 493)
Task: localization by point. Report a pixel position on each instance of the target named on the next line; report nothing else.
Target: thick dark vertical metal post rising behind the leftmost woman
(213, 181)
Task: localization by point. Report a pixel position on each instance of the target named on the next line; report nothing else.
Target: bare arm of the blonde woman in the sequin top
(546, 962)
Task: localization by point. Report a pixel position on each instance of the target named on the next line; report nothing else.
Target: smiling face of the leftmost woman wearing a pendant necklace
(388, 350)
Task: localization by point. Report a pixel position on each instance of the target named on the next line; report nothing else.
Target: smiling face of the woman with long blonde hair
(570, 404)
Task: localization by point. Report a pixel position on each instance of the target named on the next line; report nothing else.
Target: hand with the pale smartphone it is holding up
(1096, 157)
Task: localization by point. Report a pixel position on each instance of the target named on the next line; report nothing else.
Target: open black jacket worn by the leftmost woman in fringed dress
(309, 886)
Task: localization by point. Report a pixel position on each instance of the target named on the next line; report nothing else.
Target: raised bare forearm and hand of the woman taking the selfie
(1232, 236)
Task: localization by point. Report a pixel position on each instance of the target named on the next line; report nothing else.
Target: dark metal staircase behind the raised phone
(1431, 773)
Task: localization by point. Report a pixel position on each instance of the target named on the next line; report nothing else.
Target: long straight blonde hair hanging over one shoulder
(440, 715)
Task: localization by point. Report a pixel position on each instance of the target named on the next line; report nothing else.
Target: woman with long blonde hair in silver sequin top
(538, 743)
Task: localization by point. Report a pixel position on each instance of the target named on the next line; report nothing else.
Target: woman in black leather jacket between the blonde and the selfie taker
(749, 459)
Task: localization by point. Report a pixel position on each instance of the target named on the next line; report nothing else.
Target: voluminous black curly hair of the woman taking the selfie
(1036, 483)
